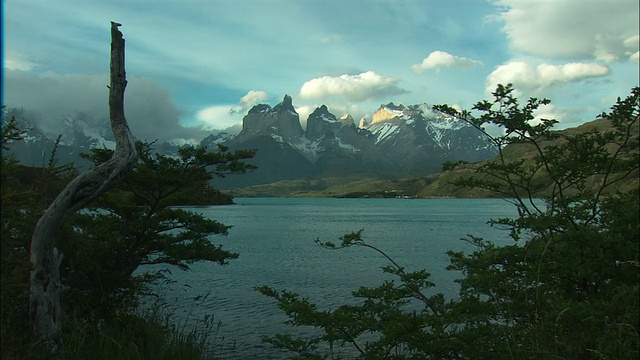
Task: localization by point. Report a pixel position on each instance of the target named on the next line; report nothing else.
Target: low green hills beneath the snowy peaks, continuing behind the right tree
(444, 184)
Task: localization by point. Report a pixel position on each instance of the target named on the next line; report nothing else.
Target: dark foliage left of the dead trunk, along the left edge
(25, 194)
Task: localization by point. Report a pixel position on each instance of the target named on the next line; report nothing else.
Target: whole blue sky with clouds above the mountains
(197, 65)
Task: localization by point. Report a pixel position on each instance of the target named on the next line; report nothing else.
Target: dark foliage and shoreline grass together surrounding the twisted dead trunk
(134, 224)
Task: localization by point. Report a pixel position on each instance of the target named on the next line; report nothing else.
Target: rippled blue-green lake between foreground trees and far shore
(275, 240)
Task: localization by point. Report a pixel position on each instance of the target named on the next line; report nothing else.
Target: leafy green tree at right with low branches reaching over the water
(566, 288)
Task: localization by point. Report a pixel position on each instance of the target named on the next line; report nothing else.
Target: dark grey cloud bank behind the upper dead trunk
(150, 111)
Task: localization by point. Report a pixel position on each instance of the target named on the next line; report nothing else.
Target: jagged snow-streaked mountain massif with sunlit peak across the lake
(401, 141)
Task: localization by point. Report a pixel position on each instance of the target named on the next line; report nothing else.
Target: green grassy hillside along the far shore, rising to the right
(432, 185)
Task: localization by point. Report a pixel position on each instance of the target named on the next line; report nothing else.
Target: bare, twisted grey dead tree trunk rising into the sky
(46, 287)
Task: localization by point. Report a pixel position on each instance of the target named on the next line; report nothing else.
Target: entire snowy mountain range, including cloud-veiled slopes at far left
(400, 141)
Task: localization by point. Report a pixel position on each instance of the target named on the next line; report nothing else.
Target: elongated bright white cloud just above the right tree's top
(527, 78)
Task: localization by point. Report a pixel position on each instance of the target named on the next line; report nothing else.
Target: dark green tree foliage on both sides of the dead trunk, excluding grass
(138, 222)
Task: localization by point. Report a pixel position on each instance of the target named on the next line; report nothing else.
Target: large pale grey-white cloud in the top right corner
(570, 28)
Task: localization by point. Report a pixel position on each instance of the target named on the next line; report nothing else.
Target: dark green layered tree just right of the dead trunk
(138, 223)
